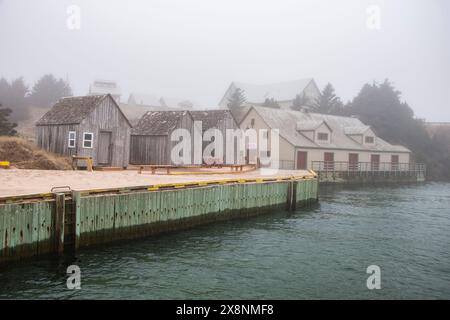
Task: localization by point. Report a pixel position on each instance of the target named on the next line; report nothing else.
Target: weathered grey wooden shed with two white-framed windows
(87, 126)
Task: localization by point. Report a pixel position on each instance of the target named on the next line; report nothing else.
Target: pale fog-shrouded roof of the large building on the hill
(280, 91)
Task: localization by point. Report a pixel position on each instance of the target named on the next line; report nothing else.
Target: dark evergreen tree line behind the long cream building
(380, 106)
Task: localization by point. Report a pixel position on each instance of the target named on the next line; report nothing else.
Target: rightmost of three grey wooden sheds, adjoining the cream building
(221, 120)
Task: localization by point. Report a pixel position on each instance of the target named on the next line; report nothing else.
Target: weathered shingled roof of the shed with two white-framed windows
(73, 110)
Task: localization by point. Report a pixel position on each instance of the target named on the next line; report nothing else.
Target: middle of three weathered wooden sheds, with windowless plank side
(151, 138)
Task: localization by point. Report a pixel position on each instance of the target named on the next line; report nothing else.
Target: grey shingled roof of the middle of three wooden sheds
(158, 123)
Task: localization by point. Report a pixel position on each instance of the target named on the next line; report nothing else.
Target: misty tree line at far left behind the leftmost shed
(16, 98)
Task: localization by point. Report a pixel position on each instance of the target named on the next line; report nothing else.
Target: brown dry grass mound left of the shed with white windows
(24, 155)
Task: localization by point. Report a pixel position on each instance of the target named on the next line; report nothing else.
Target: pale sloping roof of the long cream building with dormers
(286, 121)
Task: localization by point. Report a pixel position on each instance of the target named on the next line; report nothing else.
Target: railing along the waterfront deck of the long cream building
(343, 166)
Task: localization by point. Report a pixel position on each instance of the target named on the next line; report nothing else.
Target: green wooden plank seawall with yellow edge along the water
(62, 222)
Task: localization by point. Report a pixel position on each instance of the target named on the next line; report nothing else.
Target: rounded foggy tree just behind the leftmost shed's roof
(48, 90)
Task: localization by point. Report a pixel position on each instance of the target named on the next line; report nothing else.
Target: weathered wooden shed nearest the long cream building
(222, 120)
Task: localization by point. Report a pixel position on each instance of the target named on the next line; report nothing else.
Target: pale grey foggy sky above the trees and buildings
(194, 49)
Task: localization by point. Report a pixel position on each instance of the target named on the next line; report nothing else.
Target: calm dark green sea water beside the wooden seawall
(322, 252)
